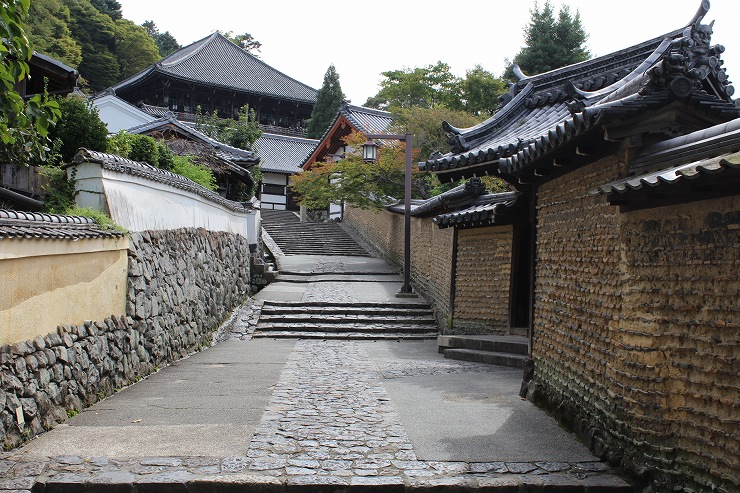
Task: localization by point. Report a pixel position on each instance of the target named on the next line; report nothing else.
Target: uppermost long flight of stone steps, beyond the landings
(309, 238)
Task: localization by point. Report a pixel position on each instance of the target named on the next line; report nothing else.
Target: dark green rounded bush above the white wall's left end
(78, 126)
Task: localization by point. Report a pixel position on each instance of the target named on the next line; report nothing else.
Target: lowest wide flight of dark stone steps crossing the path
(346, 320)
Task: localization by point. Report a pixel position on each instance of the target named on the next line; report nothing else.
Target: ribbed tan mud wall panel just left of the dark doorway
(482, 280)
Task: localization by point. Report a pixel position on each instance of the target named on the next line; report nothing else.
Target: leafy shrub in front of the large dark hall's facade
(241, 134)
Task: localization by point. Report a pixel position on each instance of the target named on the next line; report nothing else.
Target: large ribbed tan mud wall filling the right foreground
(636, 330)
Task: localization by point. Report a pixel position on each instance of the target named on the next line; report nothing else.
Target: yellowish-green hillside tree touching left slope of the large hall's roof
(135, 50)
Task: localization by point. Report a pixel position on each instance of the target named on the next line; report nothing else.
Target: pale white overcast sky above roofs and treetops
(362, 39)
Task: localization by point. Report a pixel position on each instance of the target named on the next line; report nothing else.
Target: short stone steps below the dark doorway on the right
(494, 350)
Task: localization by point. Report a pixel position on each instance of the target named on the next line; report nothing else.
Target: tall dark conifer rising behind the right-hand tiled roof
(551, 43)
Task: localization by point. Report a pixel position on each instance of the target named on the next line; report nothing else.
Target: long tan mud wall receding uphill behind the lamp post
(431, 252)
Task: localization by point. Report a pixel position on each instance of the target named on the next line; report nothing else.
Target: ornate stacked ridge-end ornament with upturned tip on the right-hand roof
(691, 63)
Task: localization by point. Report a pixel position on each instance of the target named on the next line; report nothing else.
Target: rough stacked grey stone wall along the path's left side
(182, 284)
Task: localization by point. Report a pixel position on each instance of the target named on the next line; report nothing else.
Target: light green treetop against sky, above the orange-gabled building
(427, 87)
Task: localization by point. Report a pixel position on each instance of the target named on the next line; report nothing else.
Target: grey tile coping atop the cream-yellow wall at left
(29, 225)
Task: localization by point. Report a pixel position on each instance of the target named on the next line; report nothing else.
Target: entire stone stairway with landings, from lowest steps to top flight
(330, 287)
